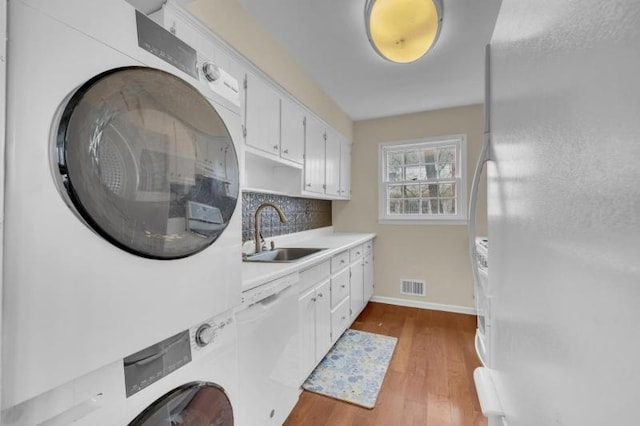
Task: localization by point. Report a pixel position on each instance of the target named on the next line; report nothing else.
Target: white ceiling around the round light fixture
(327, 38)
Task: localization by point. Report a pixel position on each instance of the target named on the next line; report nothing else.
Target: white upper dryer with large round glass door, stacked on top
(121, 184)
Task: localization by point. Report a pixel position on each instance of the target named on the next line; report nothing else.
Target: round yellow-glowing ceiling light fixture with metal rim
(403, 30)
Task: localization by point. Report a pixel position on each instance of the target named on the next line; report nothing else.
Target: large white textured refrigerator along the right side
(564, 214)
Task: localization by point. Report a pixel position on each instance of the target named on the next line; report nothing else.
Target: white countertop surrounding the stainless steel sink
(255, 274)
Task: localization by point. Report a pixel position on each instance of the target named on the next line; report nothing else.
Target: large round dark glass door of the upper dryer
(148, 163)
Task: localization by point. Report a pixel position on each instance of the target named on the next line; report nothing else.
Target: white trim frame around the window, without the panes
(458, 219)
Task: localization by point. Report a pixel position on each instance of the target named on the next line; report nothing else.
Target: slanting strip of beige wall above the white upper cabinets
(236, 26)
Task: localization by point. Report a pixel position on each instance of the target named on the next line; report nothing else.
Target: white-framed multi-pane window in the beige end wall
(423, 181)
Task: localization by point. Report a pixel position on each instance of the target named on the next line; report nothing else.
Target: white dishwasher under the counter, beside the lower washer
(268, 347)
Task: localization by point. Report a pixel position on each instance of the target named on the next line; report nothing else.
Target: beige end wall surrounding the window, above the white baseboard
(437, 254)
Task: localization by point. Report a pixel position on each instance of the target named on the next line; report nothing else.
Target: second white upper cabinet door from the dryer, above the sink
(292, 124)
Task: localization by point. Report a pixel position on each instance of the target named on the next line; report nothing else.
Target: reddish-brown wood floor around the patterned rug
(429, 381)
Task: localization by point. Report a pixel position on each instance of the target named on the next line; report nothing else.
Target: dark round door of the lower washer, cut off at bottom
(193, 404)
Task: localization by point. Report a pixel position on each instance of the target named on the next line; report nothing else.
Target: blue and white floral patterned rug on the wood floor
(354, 368)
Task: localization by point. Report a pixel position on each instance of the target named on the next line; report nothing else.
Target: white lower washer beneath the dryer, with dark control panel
(188, 378)
